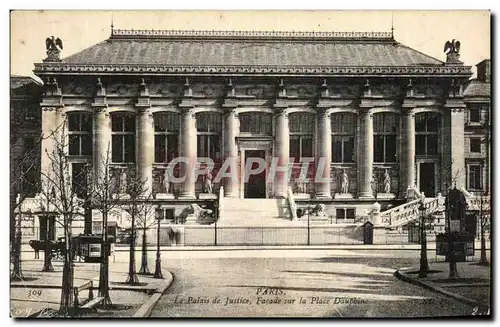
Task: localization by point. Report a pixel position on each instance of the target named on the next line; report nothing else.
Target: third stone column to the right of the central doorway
(365, 166)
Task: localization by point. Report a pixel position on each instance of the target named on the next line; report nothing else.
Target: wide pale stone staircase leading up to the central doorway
(254, 212)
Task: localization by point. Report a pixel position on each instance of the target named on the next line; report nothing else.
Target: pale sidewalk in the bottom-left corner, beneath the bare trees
(41, 291)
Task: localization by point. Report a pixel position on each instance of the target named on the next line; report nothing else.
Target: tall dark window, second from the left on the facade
(123, 137)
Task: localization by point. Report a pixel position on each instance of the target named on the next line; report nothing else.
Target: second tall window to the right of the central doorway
(343, 133)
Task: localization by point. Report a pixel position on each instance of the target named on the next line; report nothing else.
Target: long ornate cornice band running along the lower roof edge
(130, 69)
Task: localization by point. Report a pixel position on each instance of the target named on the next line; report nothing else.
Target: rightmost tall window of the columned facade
(427, 126)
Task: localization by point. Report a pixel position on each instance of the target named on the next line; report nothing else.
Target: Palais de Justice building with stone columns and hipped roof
(388, 119)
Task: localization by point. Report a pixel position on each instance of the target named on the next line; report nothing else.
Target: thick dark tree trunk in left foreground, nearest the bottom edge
(67, 300)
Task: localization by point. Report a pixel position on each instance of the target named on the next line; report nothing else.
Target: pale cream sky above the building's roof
(425, 31)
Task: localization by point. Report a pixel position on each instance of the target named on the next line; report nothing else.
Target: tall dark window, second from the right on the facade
(385, 130)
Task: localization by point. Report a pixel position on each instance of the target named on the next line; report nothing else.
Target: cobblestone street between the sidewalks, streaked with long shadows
(298, 283)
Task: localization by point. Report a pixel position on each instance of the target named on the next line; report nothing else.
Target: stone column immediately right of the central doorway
(282, 153)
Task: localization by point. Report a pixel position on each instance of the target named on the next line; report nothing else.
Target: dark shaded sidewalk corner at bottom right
(472, 287)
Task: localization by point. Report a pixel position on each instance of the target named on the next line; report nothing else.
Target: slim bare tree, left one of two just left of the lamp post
(137, 205)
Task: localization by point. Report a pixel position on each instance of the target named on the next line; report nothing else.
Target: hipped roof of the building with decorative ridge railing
(251, 52)
